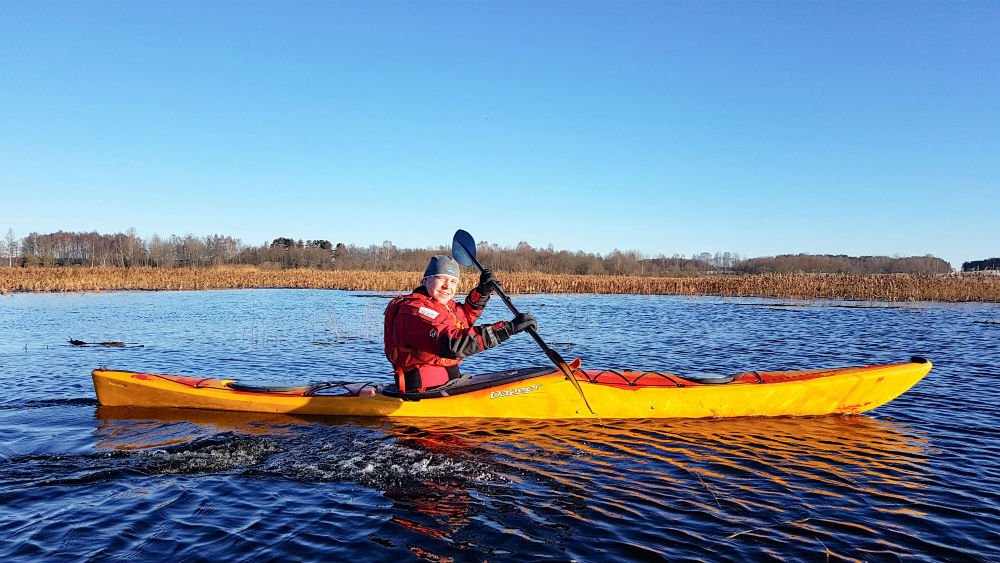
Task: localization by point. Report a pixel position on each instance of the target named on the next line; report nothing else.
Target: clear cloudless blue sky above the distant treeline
(861, 128)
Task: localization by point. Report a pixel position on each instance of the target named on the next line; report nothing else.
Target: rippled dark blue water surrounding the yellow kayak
(916, 479)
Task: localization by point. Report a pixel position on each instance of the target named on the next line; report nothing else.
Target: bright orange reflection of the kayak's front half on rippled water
(741, 453)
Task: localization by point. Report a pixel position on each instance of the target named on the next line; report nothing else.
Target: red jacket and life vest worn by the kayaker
(414, 327)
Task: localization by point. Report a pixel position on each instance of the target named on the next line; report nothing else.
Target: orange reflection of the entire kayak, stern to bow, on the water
(739, 453)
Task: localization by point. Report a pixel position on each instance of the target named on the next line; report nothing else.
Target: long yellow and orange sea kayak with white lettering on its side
(537, 393)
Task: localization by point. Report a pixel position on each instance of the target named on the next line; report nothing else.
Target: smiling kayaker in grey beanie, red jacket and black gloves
(428, 333)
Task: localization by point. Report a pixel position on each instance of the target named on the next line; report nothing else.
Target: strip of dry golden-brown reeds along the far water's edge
(882, 287)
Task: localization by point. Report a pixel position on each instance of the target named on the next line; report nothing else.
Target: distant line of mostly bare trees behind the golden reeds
(127, 250)
